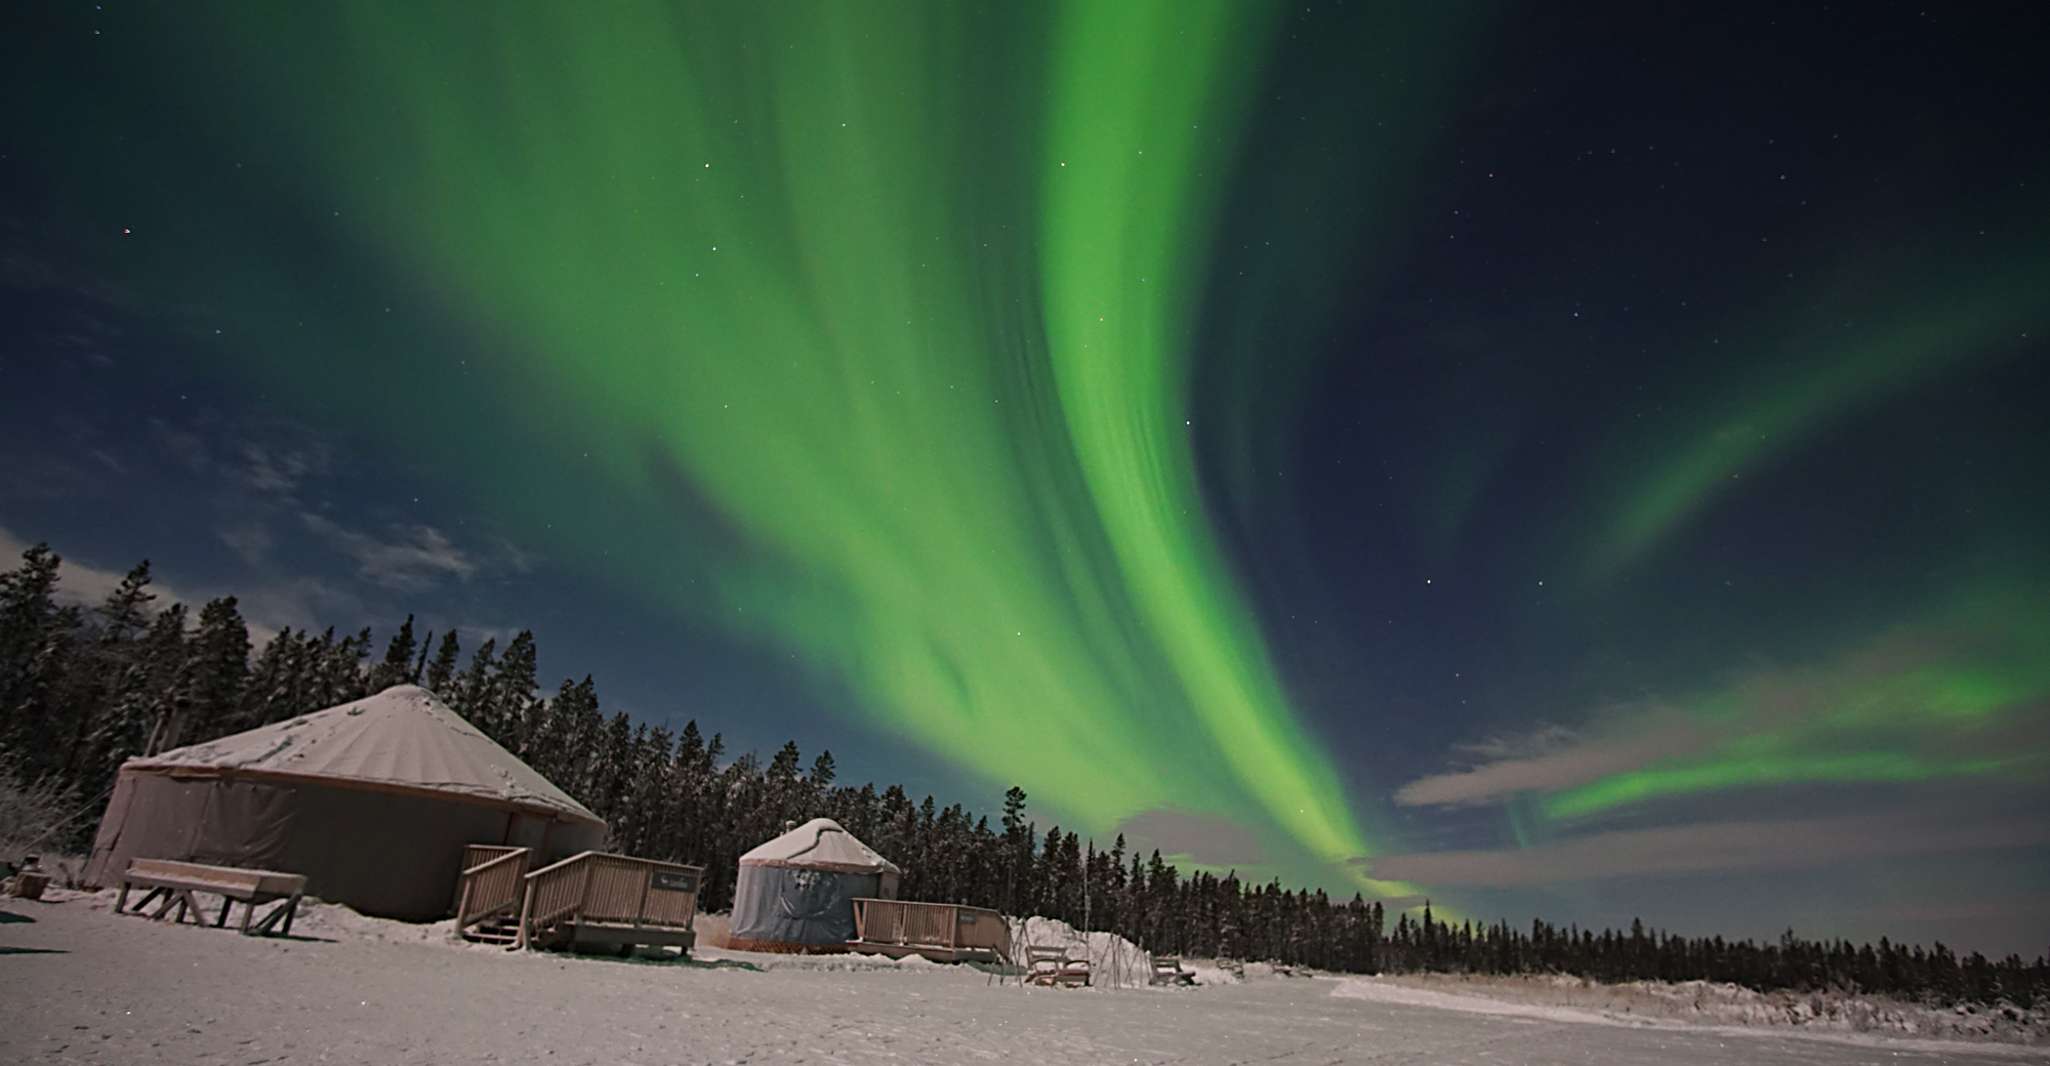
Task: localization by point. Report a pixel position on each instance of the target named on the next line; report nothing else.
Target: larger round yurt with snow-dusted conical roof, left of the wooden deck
(372, 803)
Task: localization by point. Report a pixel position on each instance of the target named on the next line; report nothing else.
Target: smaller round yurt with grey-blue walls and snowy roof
(794, 893)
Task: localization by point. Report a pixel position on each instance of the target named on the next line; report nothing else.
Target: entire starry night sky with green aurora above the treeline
(1565, 460)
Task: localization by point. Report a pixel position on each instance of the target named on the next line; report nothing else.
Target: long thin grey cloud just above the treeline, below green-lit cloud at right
(1711, 848)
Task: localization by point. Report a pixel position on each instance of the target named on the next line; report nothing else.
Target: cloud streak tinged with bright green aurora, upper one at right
(1961, 696)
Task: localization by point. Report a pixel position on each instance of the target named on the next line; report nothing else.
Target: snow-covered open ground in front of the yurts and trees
(81, 985)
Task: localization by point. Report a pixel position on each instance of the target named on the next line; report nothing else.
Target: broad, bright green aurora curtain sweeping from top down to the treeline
(930, 434)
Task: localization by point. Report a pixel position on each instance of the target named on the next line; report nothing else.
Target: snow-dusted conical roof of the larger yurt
(401, 739)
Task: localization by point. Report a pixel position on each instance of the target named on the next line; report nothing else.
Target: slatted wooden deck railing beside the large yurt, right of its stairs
(610, 889)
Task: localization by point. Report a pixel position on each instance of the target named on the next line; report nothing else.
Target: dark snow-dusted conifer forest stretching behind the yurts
(87, 688)
